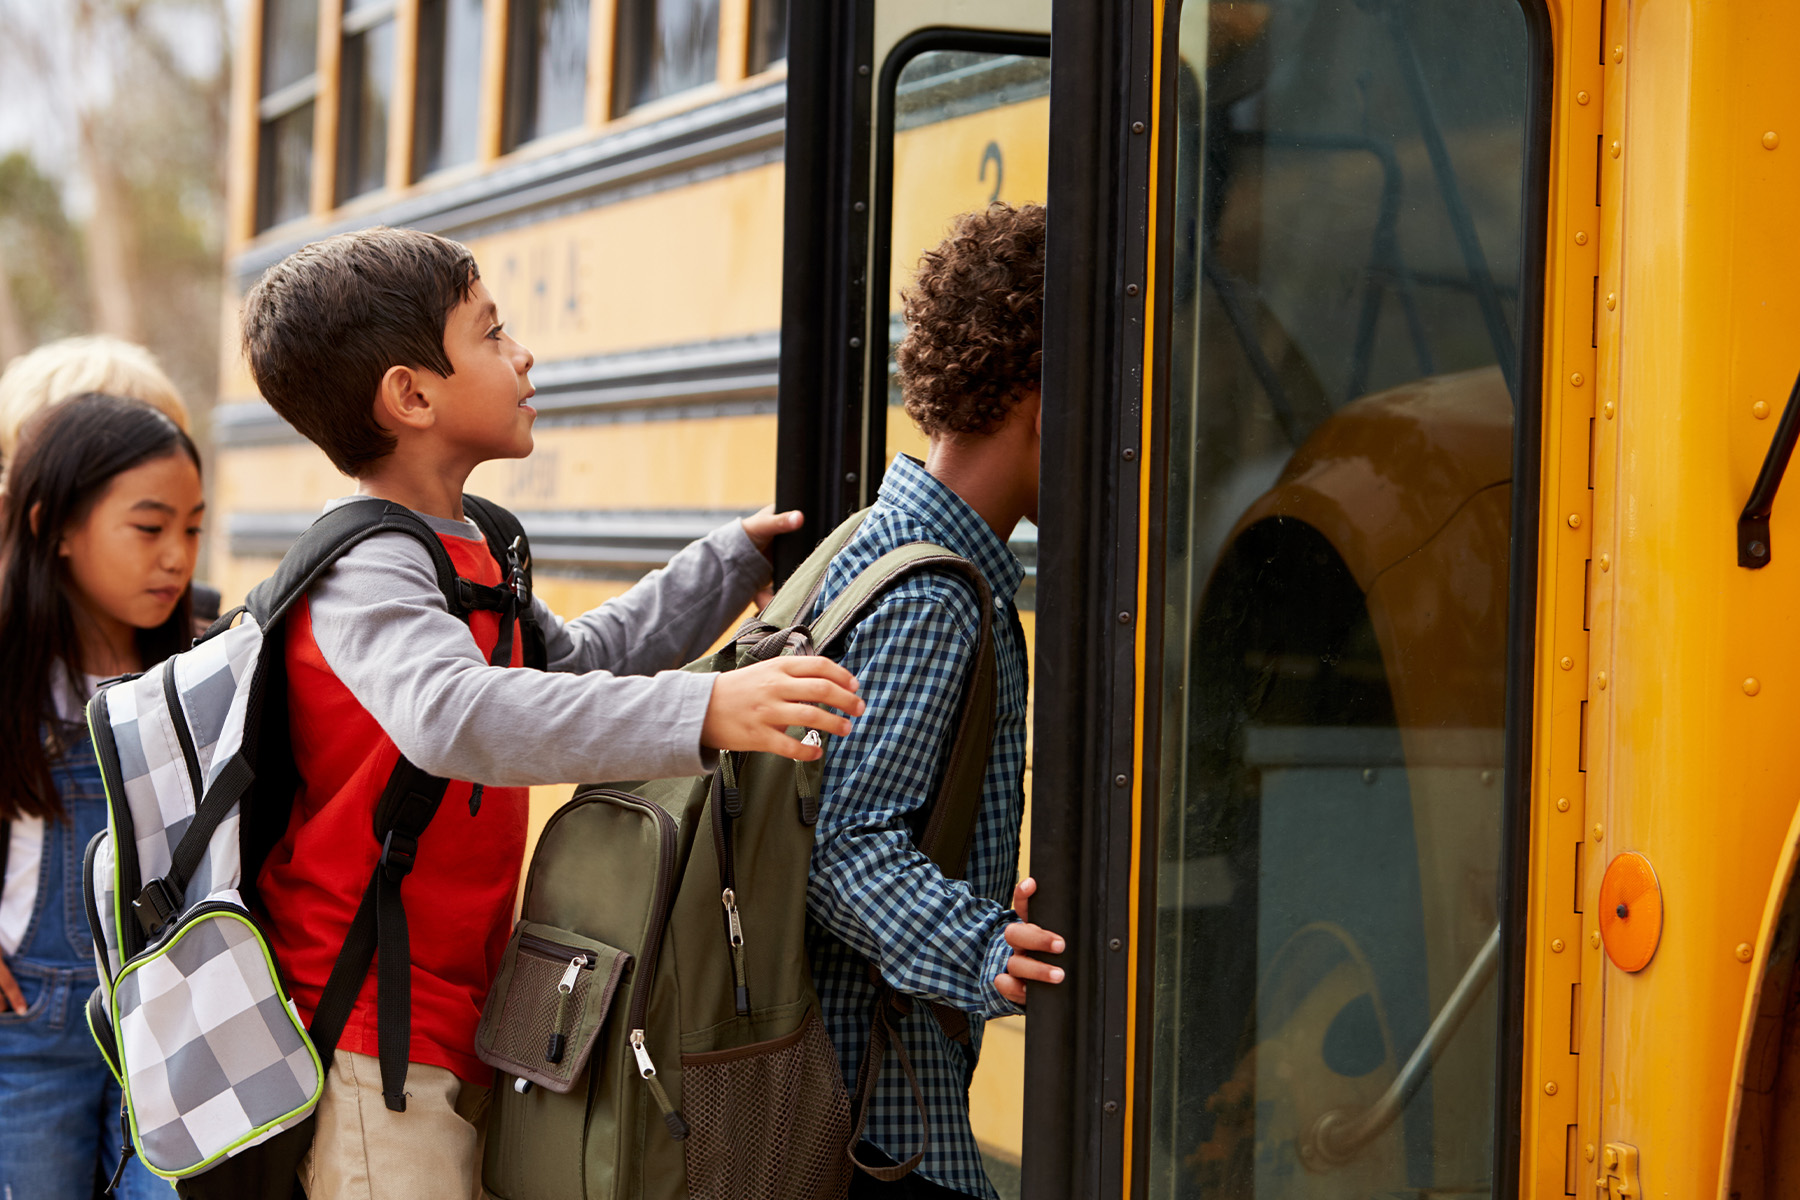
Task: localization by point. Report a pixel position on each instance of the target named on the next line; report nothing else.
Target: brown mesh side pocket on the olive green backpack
(768, 1122)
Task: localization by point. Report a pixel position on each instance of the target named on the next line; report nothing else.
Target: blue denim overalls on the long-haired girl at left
(58, 1104)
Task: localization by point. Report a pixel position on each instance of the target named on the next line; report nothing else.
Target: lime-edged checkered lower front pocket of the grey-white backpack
(215, 1055)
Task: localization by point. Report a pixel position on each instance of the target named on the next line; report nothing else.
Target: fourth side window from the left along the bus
(546, 69)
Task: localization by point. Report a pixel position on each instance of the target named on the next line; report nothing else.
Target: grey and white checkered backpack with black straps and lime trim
(220, 1079)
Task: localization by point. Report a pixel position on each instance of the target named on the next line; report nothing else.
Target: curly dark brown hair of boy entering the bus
(975, 321)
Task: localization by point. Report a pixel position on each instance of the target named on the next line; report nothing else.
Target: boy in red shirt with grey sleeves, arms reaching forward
(386, 350)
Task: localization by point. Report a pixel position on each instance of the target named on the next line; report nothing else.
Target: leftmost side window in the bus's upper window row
(291, 84)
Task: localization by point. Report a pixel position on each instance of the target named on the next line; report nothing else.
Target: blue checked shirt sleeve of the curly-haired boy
(930, 936)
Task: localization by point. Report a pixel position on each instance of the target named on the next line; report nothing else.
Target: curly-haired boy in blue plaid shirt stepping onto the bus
(969, 370)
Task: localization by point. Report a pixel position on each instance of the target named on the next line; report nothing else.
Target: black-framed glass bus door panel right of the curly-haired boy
(1286, 641)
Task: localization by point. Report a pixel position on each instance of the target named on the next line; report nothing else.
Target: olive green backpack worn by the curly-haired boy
(654, 1017)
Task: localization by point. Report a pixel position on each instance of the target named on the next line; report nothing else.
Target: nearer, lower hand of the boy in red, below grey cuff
(753, 708)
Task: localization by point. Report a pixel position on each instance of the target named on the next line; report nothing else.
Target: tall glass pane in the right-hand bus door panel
(1345, 287)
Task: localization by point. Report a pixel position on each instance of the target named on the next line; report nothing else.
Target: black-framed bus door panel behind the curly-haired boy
(901, 116)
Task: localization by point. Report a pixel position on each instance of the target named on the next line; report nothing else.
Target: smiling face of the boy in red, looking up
(483, 406)
